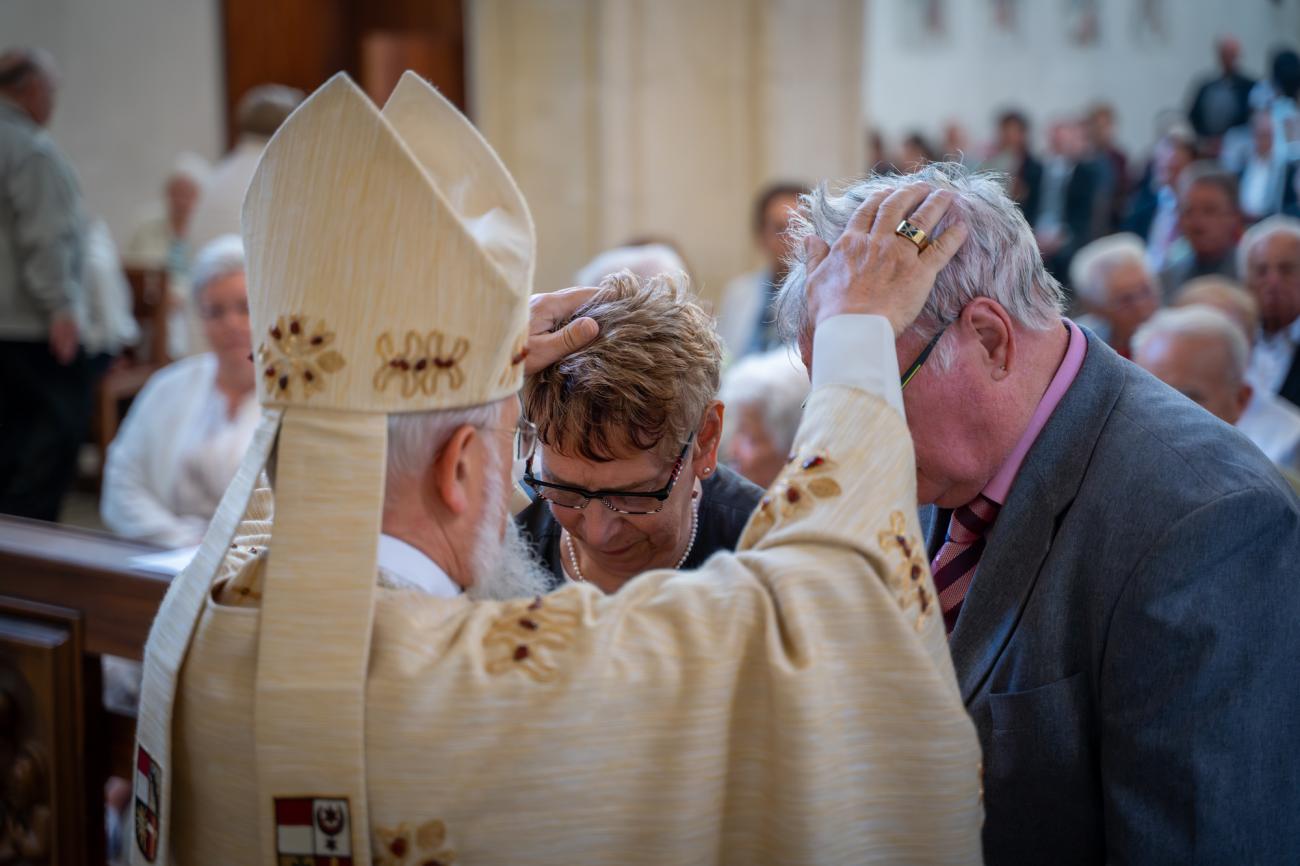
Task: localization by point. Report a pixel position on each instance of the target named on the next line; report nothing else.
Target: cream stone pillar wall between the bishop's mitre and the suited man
(625, 119)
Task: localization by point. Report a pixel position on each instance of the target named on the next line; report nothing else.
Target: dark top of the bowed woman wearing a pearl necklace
(729, 500)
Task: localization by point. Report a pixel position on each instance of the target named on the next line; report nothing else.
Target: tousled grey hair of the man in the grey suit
(1000, 261)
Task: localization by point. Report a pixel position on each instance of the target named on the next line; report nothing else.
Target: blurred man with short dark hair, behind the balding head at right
(1210, 218)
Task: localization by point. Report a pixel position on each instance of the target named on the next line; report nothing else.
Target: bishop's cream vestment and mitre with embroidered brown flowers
(792, 703)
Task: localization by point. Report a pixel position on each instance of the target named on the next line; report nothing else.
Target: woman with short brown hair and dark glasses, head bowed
(627, 478)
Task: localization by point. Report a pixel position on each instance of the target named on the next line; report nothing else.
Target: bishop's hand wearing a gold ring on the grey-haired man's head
(870, 270)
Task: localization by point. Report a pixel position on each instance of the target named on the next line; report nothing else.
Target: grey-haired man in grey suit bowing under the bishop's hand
(1110, 558)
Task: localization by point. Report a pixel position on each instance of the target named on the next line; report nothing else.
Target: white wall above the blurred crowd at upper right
(917, 80)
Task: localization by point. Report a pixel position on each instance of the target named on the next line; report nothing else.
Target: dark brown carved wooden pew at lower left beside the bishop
(68, 597)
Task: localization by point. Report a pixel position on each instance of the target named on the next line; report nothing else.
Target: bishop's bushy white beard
(504, 569)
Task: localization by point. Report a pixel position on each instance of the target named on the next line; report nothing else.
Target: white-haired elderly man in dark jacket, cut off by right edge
(1271, 263)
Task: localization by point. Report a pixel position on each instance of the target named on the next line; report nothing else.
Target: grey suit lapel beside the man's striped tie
(1022, 535)
